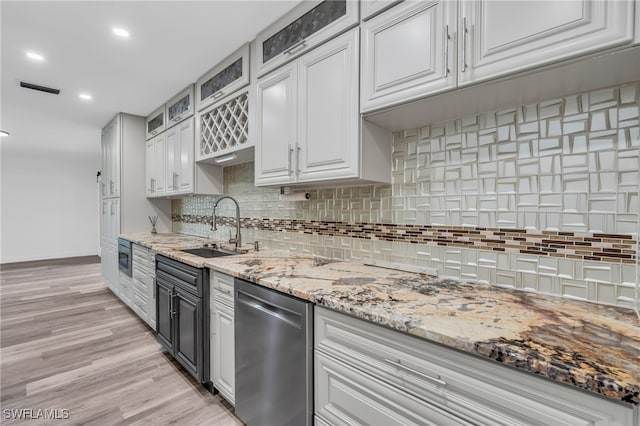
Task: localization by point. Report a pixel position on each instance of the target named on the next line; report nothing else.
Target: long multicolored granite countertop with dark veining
(592, 346)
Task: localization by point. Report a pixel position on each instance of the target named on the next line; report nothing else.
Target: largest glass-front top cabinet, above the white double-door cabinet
(303, 28)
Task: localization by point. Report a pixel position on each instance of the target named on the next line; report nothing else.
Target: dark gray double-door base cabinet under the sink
(181, 310)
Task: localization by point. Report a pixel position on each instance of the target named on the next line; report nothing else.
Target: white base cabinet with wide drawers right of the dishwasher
(367, 374)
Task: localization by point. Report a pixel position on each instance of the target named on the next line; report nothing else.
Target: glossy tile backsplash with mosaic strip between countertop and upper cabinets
(540, 197)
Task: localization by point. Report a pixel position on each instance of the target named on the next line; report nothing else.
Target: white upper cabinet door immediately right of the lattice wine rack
(275, 128)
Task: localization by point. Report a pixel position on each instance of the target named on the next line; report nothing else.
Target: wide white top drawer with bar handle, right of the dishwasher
(479, 391)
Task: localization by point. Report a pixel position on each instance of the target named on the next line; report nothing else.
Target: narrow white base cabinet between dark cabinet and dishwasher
(222, 335)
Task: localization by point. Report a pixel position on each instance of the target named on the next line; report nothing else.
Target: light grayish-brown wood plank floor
(66, 342)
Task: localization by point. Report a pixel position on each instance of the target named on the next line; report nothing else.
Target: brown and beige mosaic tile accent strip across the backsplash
(616, 248)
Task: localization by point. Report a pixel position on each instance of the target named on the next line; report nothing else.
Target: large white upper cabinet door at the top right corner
(501, 37)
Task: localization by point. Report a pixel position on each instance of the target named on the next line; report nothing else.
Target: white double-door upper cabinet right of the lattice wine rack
(308, 122)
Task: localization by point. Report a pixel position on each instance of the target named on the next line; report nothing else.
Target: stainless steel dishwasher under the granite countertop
(274, 356)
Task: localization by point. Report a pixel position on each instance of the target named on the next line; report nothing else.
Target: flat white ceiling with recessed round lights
(172, 44)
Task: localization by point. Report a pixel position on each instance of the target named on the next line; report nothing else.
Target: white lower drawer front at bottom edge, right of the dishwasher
(345, 396)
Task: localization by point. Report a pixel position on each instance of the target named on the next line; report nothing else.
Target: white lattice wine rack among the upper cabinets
(224, 127)
